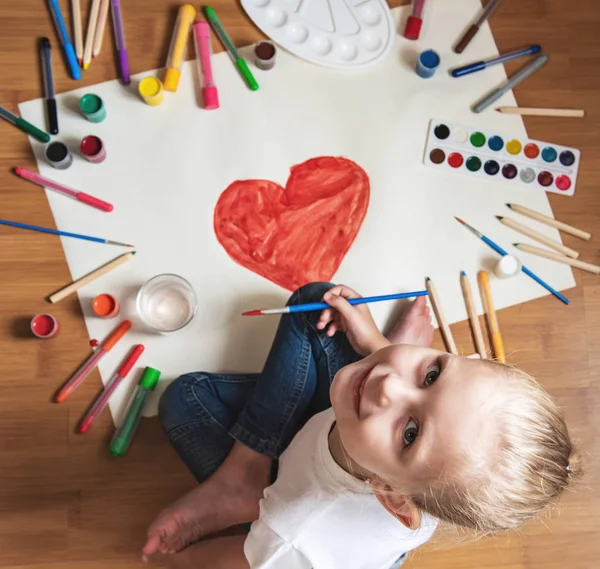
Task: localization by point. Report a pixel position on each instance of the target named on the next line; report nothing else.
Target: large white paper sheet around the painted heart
(167, 166)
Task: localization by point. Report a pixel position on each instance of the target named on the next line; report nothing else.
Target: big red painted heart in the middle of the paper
(300, 233)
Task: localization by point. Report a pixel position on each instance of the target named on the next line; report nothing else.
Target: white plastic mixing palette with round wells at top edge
(335, 34)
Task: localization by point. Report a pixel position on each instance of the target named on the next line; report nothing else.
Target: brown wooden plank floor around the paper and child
(65, 503)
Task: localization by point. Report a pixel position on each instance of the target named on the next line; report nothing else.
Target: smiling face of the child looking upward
(411, 414)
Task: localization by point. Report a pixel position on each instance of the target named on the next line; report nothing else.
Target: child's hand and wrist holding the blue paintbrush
(355, 321)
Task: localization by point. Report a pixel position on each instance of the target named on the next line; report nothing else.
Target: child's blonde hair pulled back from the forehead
(534, 461)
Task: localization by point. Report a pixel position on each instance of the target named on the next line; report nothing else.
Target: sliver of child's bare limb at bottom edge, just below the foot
(217, 553)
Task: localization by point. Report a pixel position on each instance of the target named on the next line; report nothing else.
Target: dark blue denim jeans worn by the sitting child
(203, 414)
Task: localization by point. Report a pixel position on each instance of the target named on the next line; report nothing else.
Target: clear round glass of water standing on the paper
(167, 303)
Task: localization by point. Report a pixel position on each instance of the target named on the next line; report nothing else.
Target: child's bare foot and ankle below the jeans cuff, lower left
(229, 497)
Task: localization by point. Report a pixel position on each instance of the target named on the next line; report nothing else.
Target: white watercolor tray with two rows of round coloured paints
(496, 156)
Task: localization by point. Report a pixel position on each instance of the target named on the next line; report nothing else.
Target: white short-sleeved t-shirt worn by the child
(317, 516)
